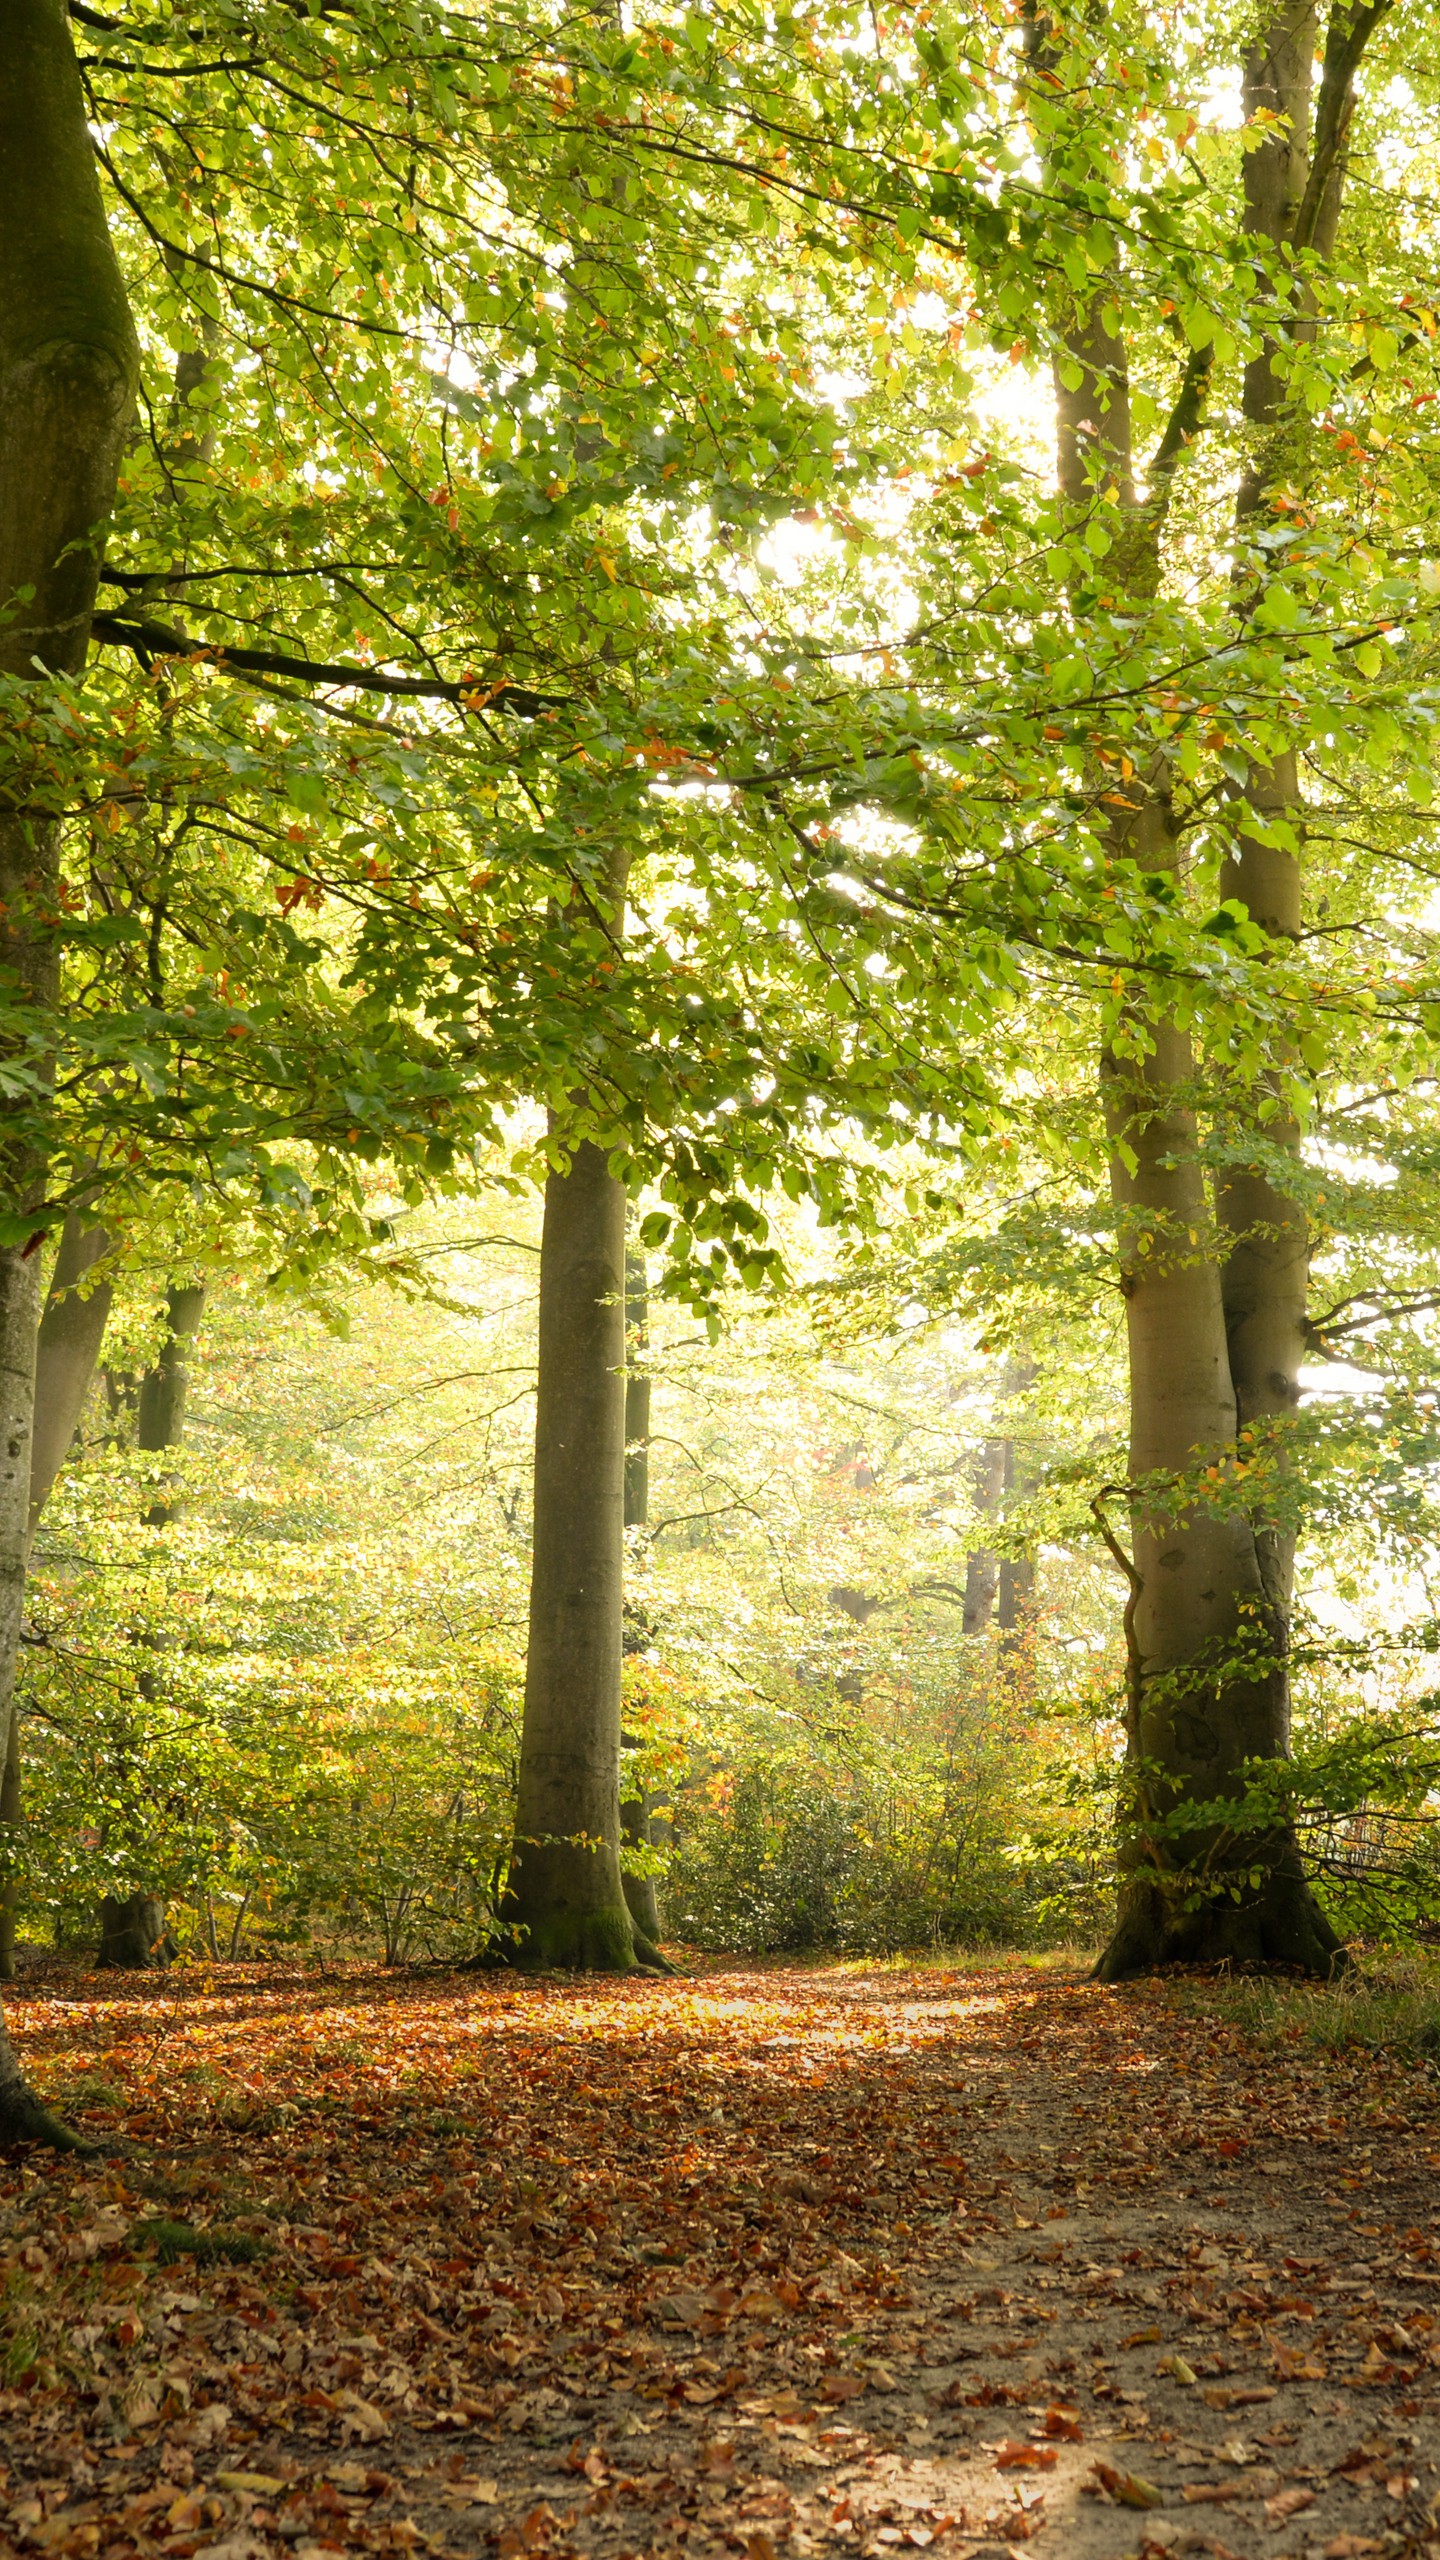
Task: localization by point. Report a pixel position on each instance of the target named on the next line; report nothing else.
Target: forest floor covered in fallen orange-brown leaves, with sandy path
(762, 2262)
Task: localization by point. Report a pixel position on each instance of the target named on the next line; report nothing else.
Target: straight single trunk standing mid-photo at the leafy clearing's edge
(565, 1880)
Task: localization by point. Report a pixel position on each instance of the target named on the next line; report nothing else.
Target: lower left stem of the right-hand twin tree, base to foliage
(1208, 1686)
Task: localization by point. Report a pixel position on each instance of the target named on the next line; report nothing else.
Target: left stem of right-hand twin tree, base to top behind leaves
(1206, 1637)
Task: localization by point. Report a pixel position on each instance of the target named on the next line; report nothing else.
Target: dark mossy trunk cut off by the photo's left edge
(68, 380)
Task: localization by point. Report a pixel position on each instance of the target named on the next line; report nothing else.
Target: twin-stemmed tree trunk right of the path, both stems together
(1211, 1289)
